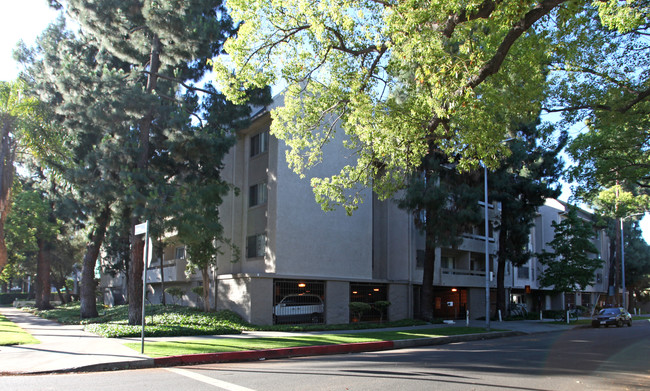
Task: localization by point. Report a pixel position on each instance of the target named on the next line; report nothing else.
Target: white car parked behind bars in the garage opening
(299, 308)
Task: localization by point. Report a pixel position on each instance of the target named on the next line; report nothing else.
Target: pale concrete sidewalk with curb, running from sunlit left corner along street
(67, 348)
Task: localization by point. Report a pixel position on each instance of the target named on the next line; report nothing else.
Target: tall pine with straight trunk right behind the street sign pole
(154, 38)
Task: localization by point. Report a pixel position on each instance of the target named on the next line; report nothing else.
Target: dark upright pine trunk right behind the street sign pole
(137, 243)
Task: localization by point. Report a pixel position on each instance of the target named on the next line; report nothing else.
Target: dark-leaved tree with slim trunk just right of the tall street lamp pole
(521, 185)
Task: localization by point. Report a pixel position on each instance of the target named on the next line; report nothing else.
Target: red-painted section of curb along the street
(250, 355)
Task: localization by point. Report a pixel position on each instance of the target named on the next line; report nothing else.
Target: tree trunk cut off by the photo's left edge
(7, 170)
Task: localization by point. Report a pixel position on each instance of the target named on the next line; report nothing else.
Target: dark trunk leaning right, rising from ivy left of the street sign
(87, 295)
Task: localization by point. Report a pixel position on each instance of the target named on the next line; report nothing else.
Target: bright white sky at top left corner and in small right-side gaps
(25, 19)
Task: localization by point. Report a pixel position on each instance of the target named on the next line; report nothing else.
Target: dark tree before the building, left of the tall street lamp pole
(444, 205)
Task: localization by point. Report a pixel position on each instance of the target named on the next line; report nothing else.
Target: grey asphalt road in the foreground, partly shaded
(580, 359)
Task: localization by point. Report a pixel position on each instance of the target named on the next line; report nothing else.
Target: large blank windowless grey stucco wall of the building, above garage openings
(310, 242)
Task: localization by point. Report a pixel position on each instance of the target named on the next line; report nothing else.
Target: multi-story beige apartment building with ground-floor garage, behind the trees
(288, 246)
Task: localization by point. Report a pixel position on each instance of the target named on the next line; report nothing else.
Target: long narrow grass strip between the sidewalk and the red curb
(171, 348)
